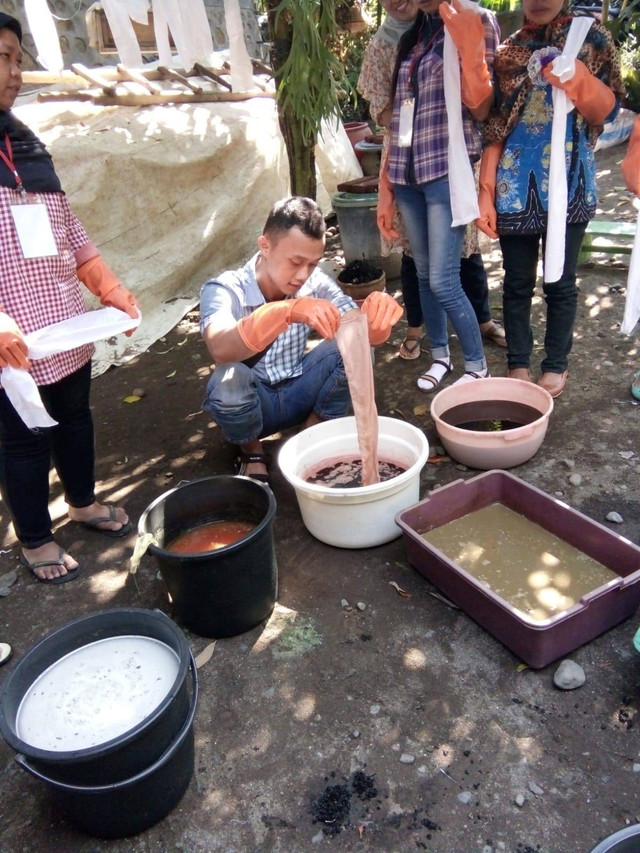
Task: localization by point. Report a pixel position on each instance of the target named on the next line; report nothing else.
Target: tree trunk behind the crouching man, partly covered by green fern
(301, 154)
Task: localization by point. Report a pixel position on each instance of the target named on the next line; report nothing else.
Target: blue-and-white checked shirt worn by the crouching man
(237, 294)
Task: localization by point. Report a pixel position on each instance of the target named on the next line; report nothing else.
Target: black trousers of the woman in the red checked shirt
(25, 456)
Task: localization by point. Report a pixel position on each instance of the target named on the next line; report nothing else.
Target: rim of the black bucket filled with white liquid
(101, 749)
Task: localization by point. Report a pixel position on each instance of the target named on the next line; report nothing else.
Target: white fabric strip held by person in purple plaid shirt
(462, 185)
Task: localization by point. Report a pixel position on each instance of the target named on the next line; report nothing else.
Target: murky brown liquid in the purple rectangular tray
(531, 569)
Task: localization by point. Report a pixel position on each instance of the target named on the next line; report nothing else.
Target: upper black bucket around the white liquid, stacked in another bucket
(136, 749)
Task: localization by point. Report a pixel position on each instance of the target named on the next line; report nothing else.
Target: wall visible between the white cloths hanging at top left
(74, 40)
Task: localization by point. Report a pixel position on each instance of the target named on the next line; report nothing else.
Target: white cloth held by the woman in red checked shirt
(20, 386)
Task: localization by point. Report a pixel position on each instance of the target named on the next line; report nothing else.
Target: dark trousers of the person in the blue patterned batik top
(520, 262)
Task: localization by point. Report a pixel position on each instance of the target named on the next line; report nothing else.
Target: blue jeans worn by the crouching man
(246, 408)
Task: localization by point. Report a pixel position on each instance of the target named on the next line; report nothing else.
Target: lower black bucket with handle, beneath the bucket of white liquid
(128, 807)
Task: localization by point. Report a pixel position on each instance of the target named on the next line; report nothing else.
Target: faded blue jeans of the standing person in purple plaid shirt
(436, 249)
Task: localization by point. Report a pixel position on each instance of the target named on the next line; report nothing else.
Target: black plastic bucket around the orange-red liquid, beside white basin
(228, 591)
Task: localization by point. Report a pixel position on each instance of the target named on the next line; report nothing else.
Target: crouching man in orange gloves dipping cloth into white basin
(255, 322)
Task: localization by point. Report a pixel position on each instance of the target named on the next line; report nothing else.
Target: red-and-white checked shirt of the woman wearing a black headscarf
(36, 292)
